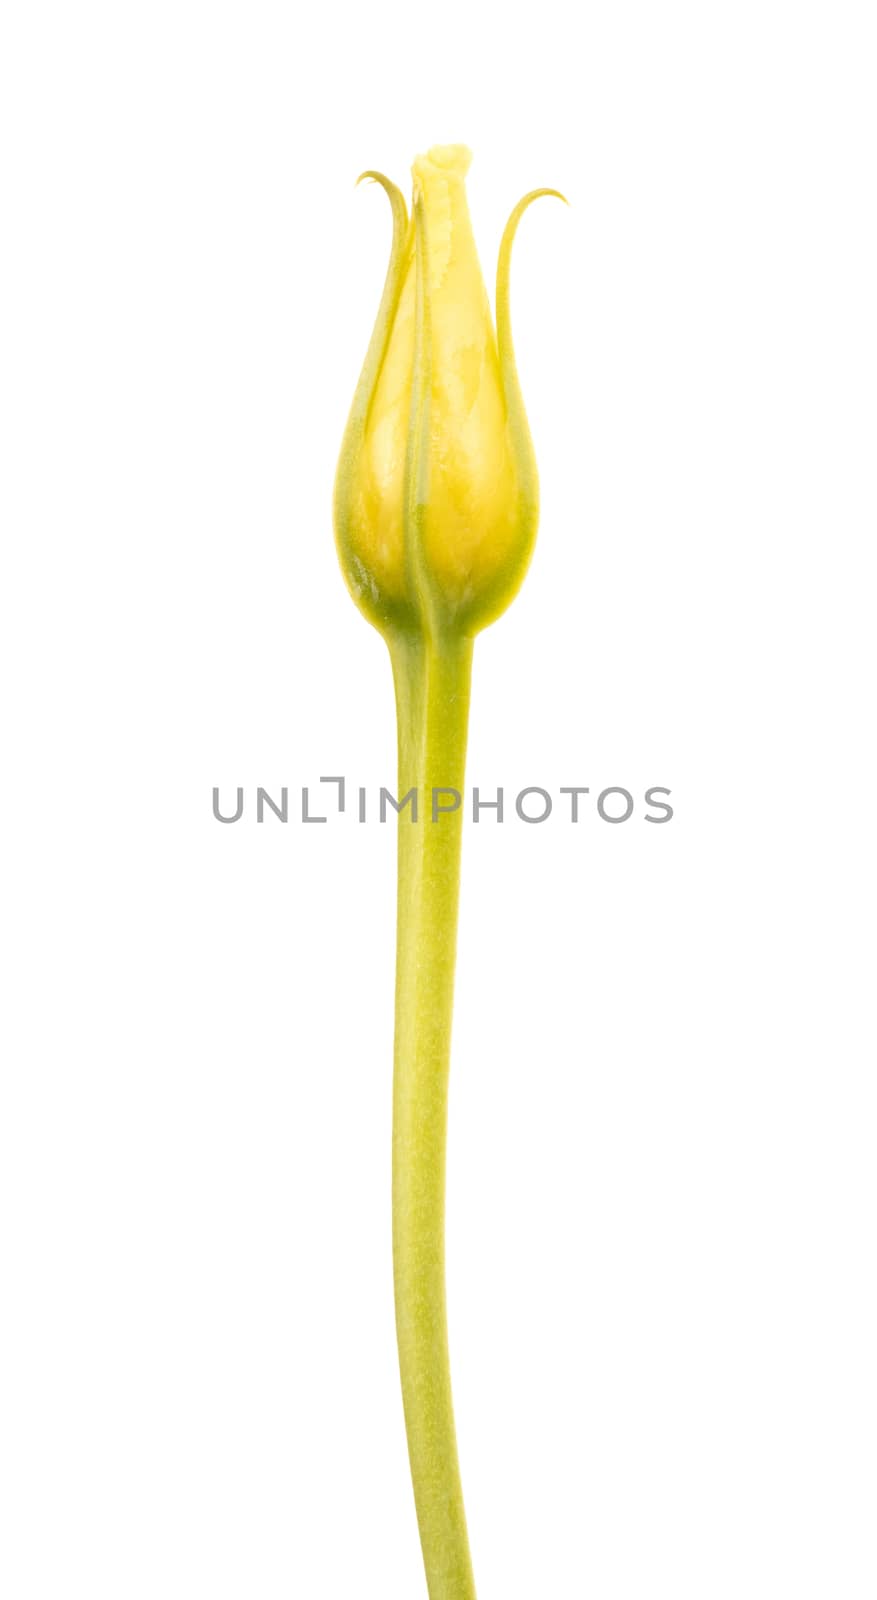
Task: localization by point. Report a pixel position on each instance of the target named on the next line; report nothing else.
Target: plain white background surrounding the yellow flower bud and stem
(663, 1185)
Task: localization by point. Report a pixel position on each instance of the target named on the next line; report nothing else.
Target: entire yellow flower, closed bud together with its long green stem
(436, 510)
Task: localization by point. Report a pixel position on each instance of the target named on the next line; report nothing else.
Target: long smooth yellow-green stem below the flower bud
(433, 710)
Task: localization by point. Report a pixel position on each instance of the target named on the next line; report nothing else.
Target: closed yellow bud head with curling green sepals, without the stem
(436, 502)
